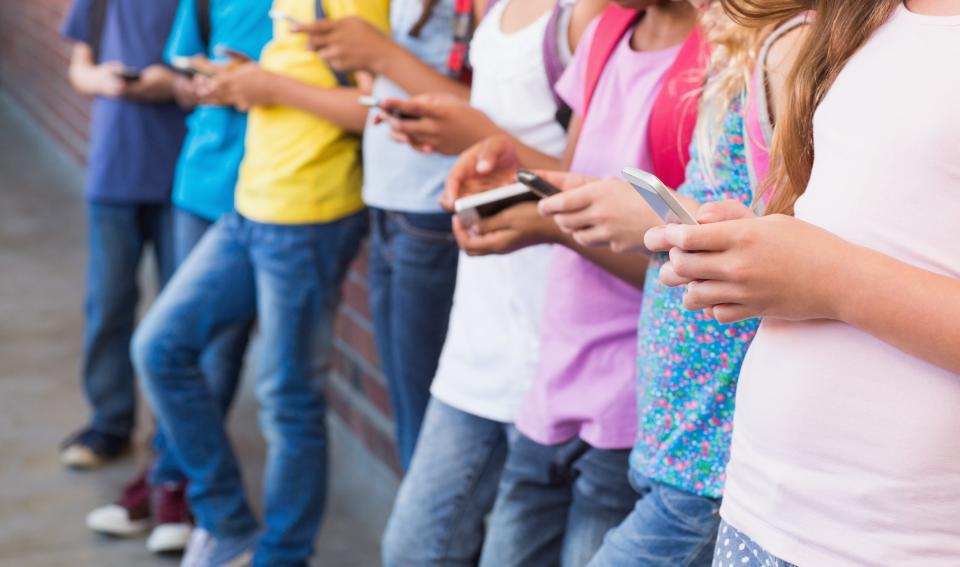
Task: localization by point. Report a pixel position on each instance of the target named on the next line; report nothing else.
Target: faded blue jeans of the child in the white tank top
(437, 519)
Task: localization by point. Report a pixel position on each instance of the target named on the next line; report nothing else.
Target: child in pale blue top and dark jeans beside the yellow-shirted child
(413, 255)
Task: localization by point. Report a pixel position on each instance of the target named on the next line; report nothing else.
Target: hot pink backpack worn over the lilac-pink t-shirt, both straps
(669, 134)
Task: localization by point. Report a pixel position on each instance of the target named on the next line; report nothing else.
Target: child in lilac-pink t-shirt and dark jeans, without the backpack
(564, 483)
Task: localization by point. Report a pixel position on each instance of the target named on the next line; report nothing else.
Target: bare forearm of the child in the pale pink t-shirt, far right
(907, 307)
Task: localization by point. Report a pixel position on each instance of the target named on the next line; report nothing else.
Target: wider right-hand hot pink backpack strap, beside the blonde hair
(674, 113)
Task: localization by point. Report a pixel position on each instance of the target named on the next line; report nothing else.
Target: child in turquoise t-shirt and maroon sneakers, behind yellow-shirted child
(205, 178)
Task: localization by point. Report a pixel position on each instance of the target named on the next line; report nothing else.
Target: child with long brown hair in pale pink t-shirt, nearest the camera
(845, 449)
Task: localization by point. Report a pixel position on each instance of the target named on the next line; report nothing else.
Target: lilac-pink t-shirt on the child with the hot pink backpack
(585, 384)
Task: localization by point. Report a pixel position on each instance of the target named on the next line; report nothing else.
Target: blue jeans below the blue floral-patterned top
(667, 528)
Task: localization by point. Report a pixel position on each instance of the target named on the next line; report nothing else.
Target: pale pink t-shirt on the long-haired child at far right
(846, 450)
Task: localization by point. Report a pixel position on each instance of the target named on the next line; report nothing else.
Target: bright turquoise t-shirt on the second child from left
(207, 171)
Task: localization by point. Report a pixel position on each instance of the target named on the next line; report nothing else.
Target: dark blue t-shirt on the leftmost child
(133, 146)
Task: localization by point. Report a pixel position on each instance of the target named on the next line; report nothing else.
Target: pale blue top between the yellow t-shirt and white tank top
(395, 176)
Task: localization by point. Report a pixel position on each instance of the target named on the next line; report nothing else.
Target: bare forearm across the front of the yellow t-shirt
(337, 105)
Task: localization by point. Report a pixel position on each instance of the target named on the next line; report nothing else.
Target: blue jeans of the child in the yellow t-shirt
(289, 277)
